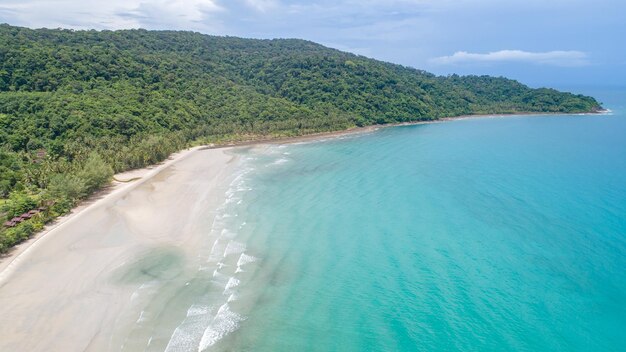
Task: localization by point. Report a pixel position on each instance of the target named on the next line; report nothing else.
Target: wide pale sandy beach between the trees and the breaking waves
(77, 284)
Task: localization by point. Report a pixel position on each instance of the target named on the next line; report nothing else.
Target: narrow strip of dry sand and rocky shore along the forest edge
(127, 180)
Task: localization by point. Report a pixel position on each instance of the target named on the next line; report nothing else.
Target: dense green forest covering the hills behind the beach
(77, 106)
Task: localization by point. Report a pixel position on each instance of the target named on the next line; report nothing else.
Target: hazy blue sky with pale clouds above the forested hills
(540, 42)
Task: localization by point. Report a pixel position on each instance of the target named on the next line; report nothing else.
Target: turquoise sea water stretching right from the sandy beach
(486, 234)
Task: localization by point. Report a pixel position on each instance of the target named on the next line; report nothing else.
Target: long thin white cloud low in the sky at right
(555, 58)
